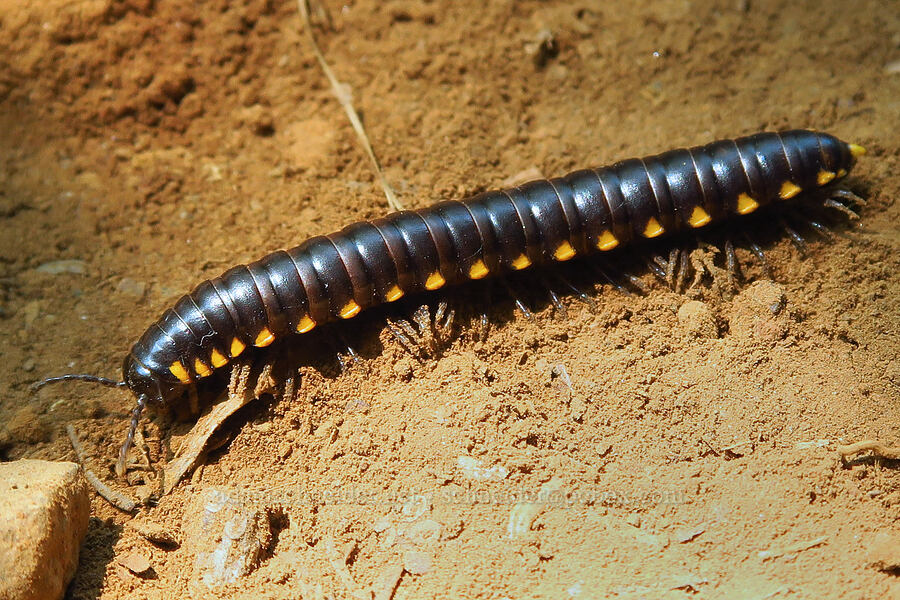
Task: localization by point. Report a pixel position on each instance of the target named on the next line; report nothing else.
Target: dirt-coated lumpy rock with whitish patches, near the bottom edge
(225, 535)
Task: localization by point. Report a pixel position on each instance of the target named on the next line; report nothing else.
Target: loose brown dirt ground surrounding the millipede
(160, 142)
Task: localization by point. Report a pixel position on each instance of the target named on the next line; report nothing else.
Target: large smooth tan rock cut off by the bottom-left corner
(44, 512)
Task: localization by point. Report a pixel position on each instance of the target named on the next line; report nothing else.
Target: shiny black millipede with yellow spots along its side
(371, 263)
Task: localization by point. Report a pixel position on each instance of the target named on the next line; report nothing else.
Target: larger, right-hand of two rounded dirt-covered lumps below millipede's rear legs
(759, 313)
